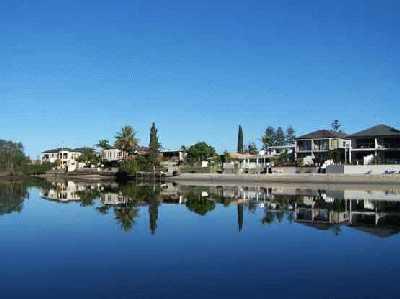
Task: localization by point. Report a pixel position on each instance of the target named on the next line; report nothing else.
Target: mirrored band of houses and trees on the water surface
(375, 212)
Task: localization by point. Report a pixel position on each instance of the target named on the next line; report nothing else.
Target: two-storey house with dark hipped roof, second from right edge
(320, 144)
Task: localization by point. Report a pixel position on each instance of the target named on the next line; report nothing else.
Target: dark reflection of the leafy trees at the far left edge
(12, 195)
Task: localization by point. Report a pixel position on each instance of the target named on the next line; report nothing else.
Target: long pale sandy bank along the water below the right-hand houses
(288, 178)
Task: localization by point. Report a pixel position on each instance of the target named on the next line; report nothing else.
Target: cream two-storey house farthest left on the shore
(66, 158)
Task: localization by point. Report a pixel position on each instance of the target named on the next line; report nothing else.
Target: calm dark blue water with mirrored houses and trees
(74, 240)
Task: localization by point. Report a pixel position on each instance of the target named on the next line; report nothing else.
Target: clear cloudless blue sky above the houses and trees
(72, 71)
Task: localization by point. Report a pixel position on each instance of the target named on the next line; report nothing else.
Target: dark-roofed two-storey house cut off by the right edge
(382, 142)
